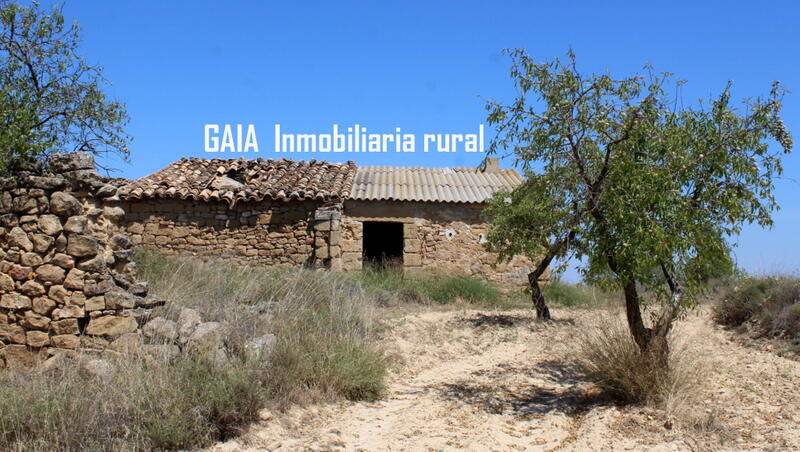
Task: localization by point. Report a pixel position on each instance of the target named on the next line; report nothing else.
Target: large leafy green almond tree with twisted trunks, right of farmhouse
(645, 191)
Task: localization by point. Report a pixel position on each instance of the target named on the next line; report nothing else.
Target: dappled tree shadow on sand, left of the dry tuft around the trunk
(560, 391)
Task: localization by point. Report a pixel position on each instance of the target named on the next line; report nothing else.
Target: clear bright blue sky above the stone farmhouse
(423, 66)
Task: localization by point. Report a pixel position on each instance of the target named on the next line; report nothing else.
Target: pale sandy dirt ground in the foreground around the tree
(491, 380)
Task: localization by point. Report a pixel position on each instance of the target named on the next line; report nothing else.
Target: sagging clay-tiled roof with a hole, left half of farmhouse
(244, 180)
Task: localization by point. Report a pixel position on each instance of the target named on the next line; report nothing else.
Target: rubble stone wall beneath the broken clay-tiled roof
(262, 233)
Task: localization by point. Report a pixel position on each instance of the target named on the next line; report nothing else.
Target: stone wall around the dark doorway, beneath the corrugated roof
(437, 238)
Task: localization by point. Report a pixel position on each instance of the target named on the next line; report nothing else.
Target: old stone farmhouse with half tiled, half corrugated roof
(321, 215)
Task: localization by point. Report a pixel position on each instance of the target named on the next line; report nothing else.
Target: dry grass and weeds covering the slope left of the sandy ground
(324, 349)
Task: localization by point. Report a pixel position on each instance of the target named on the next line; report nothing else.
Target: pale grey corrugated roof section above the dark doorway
(393, 183)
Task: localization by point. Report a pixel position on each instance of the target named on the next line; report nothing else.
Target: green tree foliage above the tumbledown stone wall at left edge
(51, 100)
